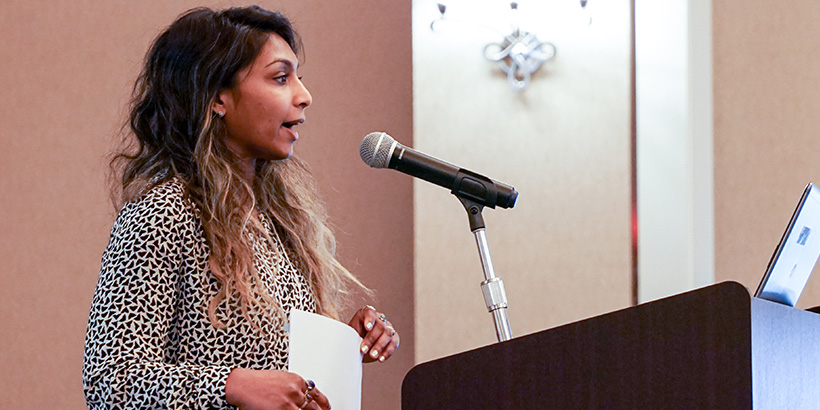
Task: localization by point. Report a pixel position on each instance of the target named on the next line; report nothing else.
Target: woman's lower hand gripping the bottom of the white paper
(272, 390)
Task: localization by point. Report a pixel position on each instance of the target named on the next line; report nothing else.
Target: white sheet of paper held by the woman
(327, 351)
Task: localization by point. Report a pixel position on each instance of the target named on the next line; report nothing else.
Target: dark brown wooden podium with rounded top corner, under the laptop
(711, 348)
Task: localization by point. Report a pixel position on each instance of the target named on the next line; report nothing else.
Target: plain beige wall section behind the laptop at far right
(767, 147)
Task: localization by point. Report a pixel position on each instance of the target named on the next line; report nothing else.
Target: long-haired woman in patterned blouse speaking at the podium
(220, 232)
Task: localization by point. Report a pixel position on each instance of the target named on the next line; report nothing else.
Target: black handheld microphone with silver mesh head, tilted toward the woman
(380, 150)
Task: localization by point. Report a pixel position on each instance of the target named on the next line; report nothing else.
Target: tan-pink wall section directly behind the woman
(66, 70)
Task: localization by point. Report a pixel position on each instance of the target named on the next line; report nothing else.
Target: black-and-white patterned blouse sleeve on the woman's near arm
(129, 361)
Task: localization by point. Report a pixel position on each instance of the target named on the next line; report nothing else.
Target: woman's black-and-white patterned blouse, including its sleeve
(149, 342)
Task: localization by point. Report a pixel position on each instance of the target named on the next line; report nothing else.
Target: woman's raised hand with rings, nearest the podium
(380, 339)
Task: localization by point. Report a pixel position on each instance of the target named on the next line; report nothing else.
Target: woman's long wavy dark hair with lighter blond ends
(177, 136)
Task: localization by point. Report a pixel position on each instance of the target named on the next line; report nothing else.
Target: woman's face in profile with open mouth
(267, 103)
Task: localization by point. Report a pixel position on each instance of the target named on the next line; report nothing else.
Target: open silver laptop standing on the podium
(795, 256)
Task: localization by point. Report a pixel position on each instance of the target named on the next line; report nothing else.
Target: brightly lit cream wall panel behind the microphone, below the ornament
(564, 251)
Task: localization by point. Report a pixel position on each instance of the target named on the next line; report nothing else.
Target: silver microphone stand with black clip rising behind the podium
(493, 288)
